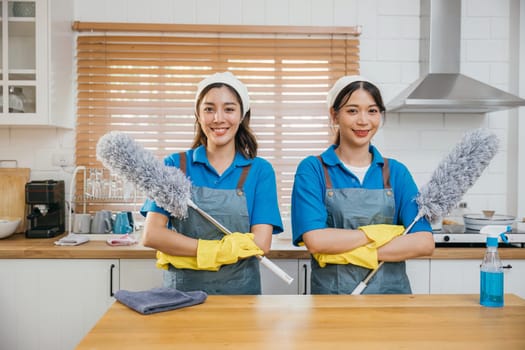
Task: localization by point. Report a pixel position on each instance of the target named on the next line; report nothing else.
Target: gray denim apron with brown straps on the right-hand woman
(351, 208)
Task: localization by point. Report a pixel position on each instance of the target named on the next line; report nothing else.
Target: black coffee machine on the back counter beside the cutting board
(47, 208)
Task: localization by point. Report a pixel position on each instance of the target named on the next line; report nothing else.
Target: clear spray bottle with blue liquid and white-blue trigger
(491, 275)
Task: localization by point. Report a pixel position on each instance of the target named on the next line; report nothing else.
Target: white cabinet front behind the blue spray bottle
(462, 277)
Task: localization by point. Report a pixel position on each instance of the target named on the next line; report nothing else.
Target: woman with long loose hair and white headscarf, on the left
(230, 183)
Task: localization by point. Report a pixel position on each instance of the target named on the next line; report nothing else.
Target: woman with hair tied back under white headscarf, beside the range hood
(351, 185)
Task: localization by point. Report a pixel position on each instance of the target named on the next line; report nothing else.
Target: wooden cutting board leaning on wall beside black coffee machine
(12, 194)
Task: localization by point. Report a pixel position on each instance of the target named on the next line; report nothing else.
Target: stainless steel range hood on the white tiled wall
(442, 89)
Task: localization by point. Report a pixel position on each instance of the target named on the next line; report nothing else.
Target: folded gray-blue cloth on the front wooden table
(159, 299)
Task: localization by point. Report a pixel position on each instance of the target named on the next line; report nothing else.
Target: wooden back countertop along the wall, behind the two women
(18, 247)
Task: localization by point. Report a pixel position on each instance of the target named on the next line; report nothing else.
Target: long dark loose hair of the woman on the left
(245, 141)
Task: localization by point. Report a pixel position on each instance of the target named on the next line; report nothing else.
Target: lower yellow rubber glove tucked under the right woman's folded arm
(364, 256)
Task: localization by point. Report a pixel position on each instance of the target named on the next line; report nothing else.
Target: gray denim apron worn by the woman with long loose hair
(230, 209)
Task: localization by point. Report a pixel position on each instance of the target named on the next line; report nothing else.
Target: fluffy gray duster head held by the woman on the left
(167, 186)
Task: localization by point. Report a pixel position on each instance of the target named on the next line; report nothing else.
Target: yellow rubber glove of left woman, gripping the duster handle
(211, 255)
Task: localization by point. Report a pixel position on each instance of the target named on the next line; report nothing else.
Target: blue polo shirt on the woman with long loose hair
(260, 186)
